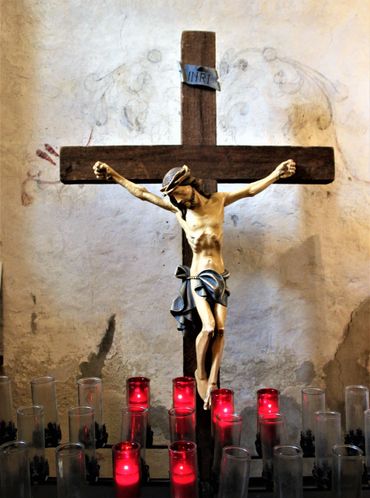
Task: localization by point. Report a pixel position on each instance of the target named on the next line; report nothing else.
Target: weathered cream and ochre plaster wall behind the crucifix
(88, 271)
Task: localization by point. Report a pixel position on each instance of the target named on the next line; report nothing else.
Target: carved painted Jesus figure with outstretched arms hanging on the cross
(204, 288)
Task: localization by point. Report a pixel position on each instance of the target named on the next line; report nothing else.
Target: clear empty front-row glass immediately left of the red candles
(70, 470)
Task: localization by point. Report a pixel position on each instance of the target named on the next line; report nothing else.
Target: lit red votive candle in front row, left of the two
(126, 469)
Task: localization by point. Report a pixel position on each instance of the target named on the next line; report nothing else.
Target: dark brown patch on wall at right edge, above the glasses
(350, 364)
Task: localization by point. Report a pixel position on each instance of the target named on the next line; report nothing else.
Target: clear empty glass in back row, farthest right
(356, 402)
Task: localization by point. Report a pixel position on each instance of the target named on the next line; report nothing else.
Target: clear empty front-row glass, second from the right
(288, 471)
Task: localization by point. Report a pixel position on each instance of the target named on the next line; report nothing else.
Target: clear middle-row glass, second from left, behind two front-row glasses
(81, 423)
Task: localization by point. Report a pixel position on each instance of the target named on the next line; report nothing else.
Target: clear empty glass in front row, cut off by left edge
(15, 478)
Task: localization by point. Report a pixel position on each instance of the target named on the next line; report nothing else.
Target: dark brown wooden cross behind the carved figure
(228, 164)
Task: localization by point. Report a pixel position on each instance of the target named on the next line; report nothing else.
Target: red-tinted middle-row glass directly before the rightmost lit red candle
(272, 434)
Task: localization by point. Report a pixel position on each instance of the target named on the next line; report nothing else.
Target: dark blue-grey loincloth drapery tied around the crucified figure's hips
(210, 285)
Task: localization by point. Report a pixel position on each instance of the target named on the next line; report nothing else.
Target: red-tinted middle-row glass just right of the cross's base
(228, 429)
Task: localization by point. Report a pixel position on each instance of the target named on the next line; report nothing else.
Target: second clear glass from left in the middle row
(81, 423)
